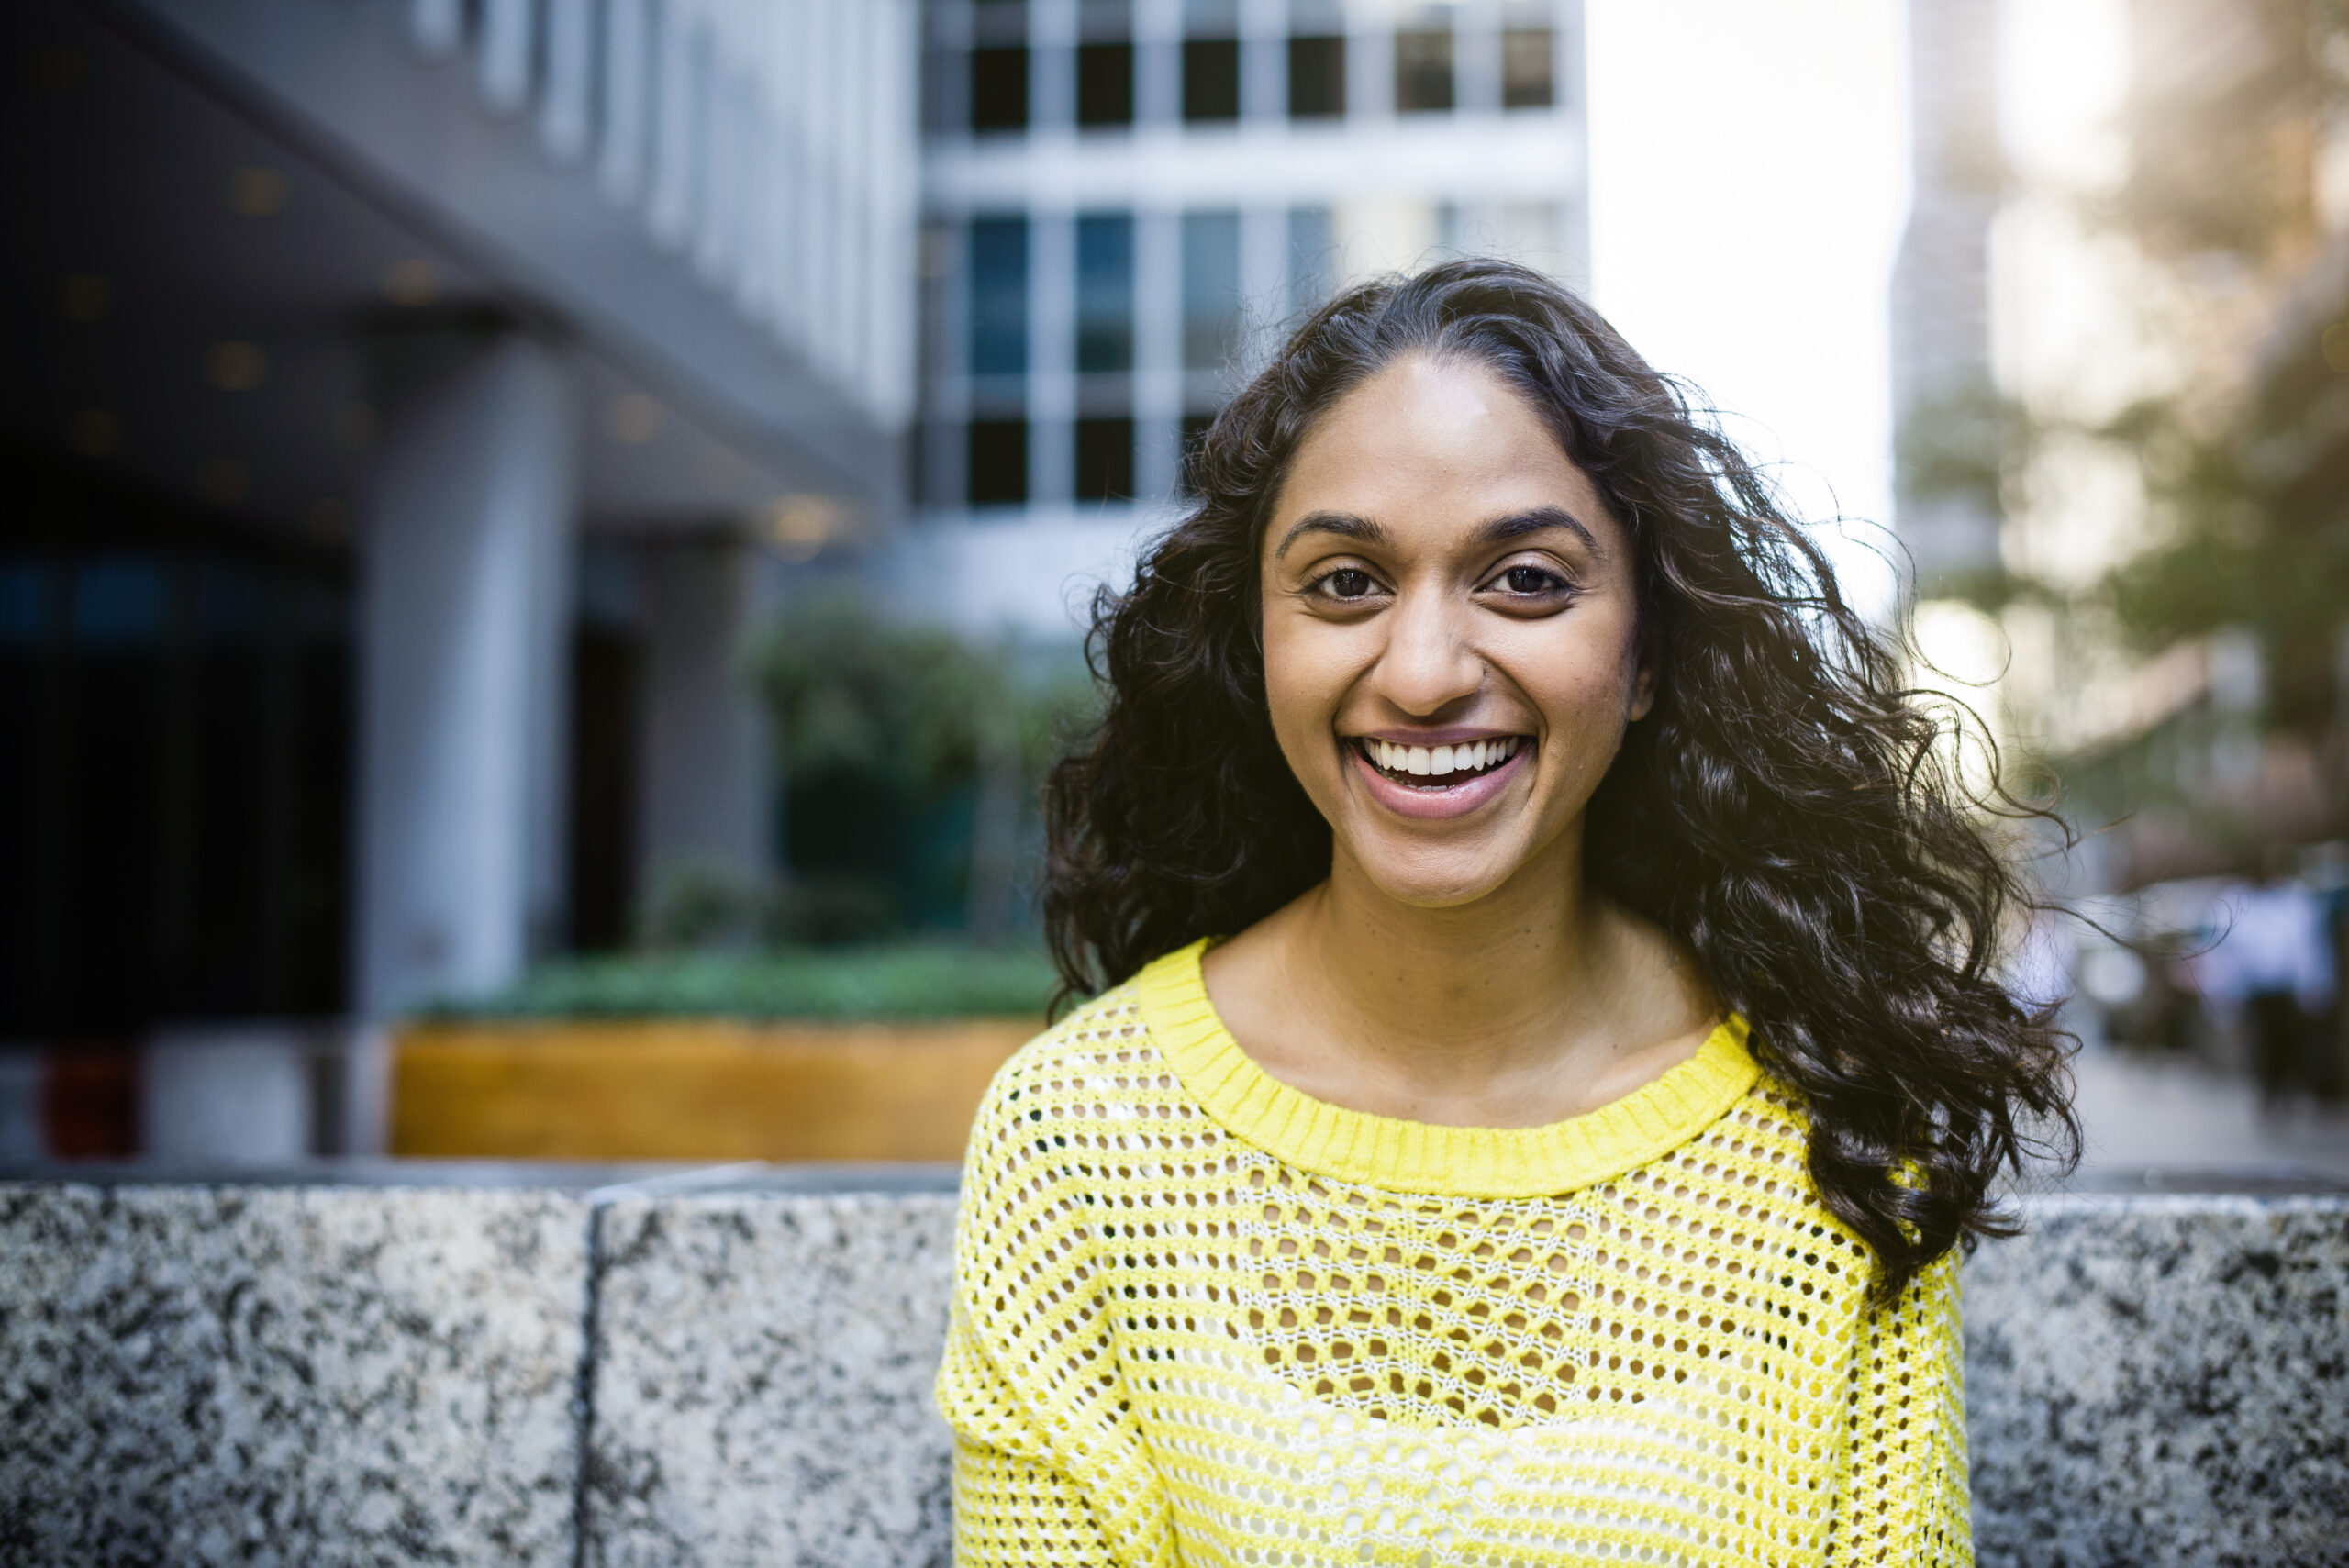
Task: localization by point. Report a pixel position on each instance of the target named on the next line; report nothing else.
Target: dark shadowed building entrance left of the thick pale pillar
(175, 795)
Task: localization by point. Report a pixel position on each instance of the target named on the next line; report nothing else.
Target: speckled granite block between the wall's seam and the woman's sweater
(762, 1370)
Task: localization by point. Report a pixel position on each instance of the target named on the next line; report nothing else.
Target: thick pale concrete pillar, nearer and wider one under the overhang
(464, 614)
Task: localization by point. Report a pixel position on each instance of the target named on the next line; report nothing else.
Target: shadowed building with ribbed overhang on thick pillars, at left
(401, 400)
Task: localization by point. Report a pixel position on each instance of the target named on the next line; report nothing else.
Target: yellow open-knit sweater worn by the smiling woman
(1202, 1318)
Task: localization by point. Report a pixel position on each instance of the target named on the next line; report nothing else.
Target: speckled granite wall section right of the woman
(2162, 1381)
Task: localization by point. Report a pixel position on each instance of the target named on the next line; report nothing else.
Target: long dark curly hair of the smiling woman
(1786, 809)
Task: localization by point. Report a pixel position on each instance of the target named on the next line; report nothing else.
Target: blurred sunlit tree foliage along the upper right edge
(2226, 116)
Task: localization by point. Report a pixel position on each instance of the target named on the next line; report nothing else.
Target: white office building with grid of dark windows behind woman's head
(1129, 201)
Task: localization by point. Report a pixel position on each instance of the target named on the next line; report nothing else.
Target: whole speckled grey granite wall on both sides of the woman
(732, 1367)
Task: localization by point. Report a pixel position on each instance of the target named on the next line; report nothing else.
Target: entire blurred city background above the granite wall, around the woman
(544, 541)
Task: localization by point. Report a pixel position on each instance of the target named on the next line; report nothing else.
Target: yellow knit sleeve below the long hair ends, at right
(1904, 1499)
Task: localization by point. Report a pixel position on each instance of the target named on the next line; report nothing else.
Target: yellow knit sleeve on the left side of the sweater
(1049, 1459)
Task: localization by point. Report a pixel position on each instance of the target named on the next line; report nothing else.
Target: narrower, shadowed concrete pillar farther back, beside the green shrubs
(708, 778)
